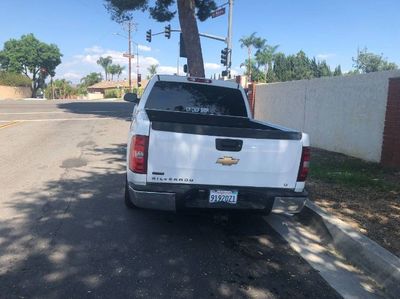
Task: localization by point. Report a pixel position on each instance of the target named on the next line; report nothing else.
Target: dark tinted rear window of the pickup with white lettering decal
(196, 98)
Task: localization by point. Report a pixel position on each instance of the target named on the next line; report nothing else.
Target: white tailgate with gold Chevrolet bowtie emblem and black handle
(207, 159)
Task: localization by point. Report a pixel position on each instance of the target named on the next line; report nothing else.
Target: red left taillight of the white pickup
(138, 154)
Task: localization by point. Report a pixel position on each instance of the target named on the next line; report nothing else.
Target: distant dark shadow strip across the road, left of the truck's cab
(117, 109)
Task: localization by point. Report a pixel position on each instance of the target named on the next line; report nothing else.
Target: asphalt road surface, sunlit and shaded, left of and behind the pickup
(65, 232)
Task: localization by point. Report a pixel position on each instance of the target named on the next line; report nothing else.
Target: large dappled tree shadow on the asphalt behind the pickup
(76, 239)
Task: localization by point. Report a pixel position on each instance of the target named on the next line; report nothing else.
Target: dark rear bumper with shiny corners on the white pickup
(171, 197)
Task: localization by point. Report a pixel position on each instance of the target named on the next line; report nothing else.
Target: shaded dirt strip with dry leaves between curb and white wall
(364, 195)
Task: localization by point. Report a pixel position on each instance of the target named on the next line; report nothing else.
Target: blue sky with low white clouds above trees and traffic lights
(330, 30)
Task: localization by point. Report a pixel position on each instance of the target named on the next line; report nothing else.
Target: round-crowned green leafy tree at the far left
(31, 57)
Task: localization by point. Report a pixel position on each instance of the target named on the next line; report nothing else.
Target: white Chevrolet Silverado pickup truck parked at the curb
(194, 144)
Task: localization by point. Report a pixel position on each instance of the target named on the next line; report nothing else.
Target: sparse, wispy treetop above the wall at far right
(367, 62)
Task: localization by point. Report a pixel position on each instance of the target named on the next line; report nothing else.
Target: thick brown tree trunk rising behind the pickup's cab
(191, 38)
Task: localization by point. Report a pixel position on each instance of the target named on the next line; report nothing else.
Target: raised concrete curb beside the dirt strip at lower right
(380, 264)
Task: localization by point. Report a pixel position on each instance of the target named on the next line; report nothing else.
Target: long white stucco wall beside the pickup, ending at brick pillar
(342, 114)
